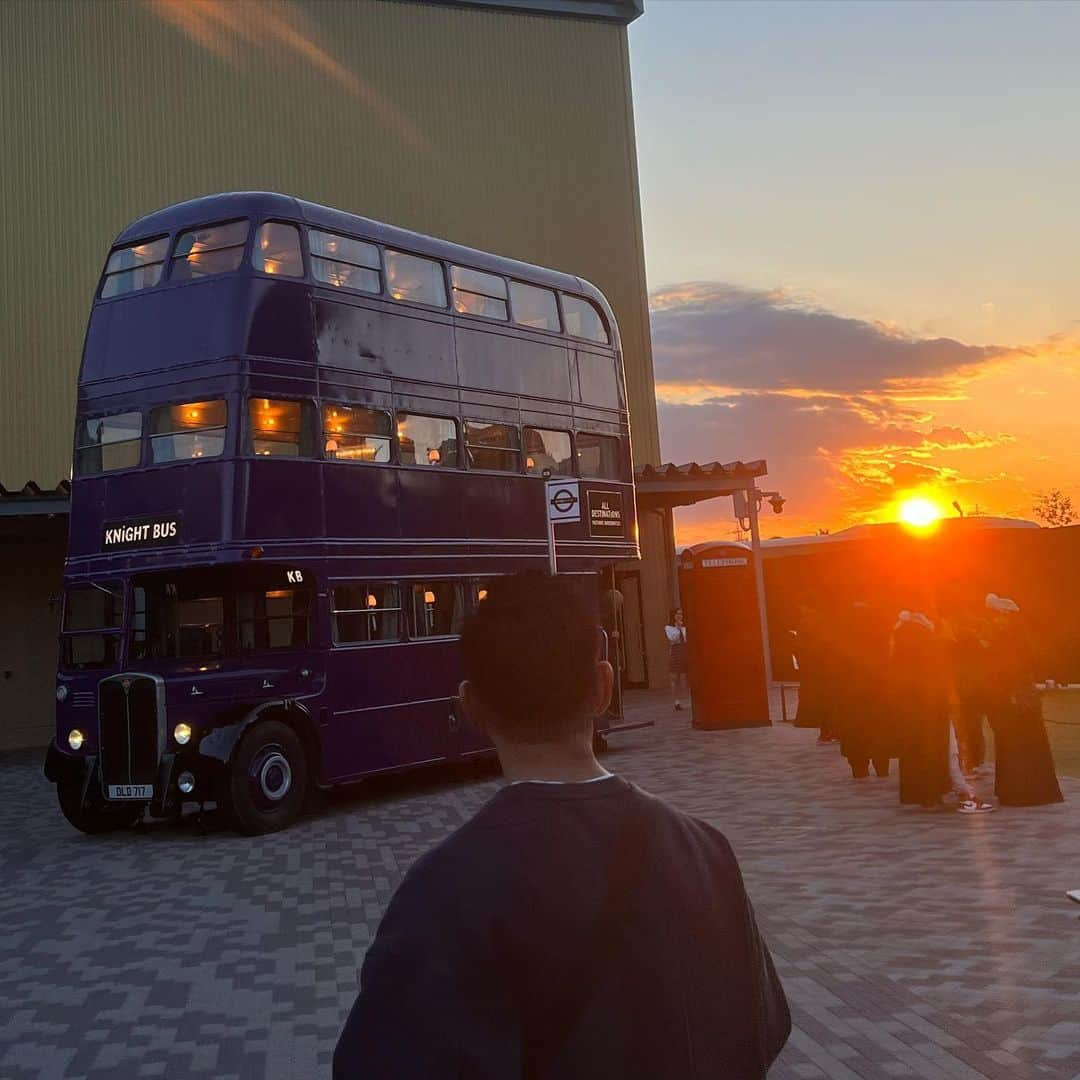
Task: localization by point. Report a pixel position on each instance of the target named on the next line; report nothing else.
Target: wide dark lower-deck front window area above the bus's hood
(209, 614)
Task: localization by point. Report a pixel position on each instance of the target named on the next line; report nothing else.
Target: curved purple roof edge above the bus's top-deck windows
(273, 205)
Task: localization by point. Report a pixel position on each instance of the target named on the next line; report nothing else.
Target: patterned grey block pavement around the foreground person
(912, 946)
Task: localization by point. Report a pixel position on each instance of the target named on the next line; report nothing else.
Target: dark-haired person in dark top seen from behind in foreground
(576, 927)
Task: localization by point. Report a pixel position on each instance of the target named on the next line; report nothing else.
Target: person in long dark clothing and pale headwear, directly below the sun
(920, 686)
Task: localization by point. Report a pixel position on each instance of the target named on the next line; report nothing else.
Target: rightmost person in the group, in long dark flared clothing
(1024, 774)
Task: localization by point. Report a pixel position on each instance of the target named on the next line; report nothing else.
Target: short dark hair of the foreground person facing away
(531, 654)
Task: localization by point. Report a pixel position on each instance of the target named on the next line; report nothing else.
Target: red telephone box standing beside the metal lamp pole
(727, 677)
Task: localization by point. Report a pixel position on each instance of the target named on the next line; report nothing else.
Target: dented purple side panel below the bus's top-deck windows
(412, 346)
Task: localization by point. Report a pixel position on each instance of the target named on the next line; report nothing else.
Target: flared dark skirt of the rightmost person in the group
(1024, 766)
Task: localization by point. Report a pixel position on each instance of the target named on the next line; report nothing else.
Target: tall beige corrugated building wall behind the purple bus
(504, 131)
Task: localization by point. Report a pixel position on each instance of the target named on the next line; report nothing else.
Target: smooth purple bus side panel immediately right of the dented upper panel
(512, 364)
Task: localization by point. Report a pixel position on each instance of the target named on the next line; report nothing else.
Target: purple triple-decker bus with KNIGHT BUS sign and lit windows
(305, 442)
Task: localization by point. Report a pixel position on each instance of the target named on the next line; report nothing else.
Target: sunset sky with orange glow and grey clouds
(862, 236)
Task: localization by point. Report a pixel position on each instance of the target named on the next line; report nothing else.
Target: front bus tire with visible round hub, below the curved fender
(268, 779)
